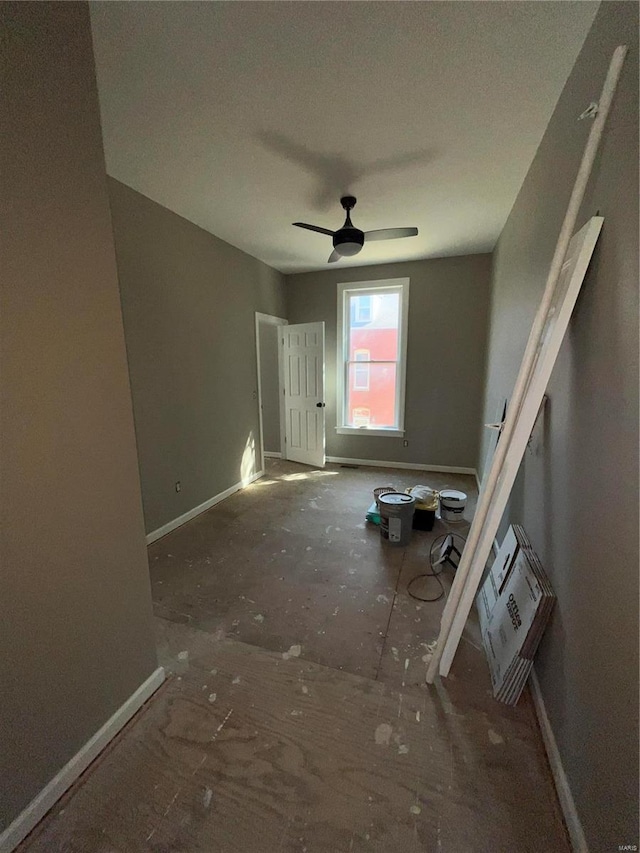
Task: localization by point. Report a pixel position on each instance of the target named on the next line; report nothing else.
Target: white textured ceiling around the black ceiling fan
(244, 117)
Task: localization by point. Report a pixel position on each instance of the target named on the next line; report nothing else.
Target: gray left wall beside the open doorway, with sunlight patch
(189, 301)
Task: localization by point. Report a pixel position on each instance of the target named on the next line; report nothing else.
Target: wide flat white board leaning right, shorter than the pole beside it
(572, 275)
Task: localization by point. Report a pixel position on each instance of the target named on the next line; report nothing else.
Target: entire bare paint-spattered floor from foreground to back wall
(297, 717)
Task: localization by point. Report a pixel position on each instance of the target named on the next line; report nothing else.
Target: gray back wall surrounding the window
(448, 309)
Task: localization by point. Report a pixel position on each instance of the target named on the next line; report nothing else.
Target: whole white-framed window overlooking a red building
(372, 347)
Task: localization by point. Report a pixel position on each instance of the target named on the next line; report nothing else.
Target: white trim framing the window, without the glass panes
(343, 289)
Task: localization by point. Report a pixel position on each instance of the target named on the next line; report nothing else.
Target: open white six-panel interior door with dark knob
(303, 370)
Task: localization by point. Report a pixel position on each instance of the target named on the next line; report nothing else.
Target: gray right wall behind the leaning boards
(577, 493)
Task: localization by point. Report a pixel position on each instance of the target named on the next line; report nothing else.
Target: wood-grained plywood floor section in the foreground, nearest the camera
(246, 752)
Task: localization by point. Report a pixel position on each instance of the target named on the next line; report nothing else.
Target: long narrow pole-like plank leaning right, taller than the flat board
(483, 529)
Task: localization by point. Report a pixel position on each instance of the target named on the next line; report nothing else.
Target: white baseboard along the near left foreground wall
(62, 781)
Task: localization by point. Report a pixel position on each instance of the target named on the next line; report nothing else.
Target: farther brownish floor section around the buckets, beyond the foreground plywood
(291, 560)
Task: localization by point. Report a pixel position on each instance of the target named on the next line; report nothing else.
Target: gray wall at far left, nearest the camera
(75, 622)
